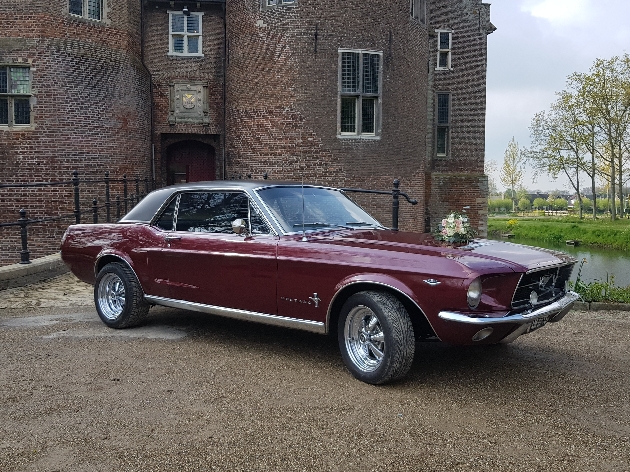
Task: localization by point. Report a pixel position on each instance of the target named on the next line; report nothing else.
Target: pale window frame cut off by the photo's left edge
(9, 97)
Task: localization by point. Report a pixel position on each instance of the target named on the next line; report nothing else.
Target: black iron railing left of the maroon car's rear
(133, 190)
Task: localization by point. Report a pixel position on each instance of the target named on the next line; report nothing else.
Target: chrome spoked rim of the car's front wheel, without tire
(364, 338)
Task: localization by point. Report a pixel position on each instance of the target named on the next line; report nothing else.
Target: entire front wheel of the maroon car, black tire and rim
(376, 337)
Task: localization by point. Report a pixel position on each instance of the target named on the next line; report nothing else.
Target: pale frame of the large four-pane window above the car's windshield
(360, 95)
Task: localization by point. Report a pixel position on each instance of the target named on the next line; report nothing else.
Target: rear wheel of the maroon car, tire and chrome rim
(118, 297)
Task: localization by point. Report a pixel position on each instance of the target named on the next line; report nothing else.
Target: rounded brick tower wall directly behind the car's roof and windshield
(282, 96)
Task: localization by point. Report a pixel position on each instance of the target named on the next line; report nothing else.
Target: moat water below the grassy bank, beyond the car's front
(600, 263)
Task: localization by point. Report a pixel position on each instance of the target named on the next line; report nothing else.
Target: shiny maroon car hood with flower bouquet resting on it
(479, 254)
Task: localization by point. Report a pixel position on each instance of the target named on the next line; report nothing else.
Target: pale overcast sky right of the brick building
(537, 45)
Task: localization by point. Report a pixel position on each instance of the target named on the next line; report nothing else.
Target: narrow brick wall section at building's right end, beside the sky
(457, 180)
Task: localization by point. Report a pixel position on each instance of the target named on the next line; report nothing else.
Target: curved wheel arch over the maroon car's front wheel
(422, 326)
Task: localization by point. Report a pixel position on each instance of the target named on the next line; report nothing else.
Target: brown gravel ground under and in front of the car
(192, 392)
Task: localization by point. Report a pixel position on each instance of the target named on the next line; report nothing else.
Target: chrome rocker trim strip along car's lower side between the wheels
(275, 320)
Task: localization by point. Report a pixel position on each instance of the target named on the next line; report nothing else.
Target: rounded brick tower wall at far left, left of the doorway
(90, 109)
